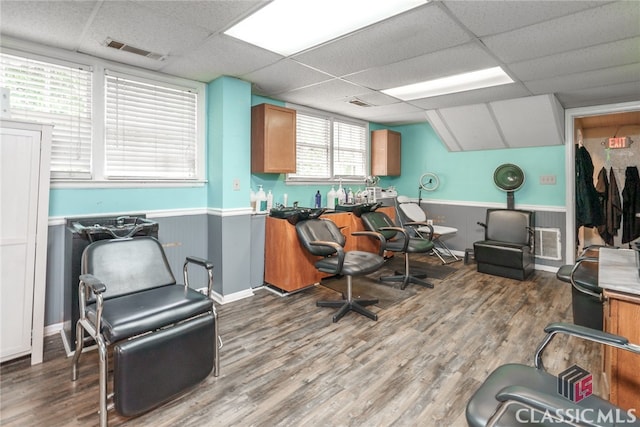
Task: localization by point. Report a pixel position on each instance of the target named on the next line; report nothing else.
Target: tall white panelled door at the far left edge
(19, 172)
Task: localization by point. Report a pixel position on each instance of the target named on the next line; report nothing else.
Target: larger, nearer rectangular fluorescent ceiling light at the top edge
(290, 26)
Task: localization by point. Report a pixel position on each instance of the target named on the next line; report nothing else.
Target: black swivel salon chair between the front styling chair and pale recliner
(398, 240)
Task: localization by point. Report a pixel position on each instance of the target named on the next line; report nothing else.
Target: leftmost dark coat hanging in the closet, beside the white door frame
(588, 209)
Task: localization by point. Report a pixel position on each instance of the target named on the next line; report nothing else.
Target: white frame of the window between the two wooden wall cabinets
(333, 178)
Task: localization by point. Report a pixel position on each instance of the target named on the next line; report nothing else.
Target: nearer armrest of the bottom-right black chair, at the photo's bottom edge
(555, 406)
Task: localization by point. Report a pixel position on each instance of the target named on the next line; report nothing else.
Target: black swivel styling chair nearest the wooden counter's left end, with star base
(322, 237)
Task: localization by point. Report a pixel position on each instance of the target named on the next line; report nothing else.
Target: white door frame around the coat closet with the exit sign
(570, 194)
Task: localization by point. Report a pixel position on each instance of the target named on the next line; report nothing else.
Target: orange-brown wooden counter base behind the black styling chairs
(290, 267)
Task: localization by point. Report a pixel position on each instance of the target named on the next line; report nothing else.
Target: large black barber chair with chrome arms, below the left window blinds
(163, 336)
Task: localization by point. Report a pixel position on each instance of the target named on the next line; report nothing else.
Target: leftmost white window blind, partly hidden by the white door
(50, 93)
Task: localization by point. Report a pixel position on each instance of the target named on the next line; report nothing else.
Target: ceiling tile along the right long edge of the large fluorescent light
(398, 38)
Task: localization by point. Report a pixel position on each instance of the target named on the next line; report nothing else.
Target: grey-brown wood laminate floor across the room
(284, 363)
